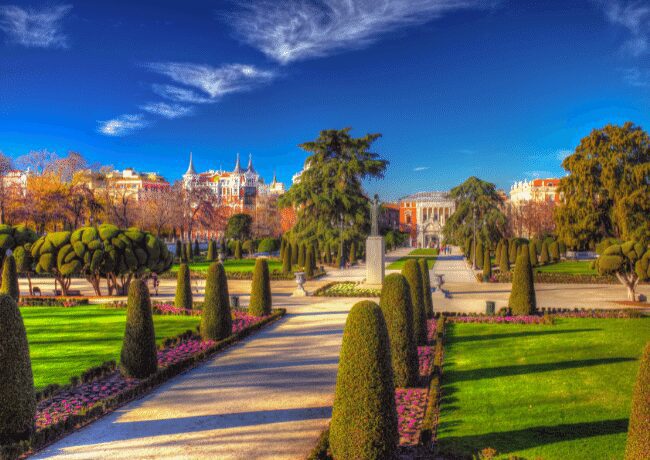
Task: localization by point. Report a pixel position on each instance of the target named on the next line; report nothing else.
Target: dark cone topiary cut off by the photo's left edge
(17, 402)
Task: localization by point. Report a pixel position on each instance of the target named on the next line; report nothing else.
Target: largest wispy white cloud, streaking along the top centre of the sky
(305, 29)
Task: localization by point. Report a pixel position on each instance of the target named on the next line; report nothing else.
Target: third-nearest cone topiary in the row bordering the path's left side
(216, 322)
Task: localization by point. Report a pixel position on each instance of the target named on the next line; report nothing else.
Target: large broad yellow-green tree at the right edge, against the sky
(607, 189)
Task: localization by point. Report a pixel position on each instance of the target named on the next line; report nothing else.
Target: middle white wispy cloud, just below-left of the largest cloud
(213, 81)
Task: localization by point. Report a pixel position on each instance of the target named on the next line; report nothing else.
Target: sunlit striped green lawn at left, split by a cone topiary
(64, 342)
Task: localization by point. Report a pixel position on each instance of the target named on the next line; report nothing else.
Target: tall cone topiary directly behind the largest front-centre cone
(396, 305)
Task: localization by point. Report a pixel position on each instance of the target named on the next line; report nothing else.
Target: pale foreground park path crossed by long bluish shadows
(268, 397)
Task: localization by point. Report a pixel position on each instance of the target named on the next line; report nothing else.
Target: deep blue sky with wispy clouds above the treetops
(498, 89)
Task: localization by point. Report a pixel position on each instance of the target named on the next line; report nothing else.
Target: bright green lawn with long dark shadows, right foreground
(551, 392)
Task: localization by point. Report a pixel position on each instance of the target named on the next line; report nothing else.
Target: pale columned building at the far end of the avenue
(423, 216)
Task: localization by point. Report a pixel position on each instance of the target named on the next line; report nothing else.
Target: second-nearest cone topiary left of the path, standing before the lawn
(139, 357)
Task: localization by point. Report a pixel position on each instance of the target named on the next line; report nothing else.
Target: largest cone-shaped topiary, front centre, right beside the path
(364, 416)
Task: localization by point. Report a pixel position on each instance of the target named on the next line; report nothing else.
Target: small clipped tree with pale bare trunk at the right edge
(629, 261)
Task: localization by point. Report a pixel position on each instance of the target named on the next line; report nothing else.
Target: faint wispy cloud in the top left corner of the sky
(33, 27)
